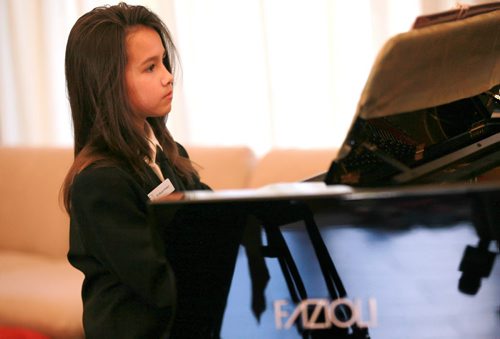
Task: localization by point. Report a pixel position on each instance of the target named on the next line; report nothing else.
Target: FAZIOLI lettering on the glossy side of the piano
(323, 313)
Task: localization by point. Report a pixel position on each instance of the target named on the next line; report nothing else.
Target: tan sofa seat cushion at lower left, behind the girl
(41, 294)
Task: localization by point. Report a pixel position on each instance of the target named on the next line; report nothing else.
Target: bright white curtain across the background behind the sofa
(261, 73)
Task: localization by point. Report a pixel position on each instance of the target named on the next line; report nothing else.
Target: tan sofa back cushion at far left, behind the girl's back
(30, 216)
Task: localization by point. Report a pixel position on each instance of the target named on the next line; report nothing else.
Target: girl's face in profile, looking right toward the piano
(149, 83)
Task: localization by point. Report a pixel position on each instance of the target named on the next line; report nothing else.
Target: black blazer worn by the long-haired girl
(129, 288)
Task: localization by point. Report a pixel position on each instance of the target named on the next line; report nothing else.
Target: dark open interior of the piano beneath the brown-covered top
(453, 142)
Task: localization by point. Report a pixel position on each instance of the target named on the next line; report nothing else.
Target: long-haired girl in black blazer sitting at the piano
(119, 63)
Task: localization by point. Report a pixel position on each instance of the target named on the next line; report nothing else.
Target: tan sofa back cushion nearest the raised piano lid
(290, 165)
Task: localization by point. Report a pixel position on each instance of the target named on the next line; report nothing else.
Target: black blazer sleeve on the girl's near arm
(109, 211)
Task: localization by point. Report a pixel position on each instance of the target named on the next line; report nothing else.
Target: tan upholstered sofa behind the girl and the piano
(39, 290)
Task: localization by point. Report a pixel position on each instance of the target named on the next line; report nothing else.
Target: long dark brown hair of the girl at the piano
(104, 129)
